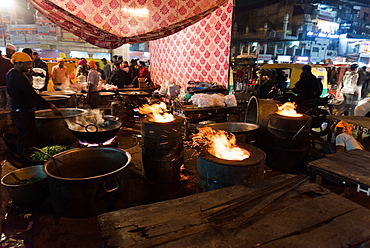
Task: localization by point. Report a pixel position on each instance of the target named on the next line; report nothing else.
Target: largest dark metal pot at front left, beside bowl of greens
(87, 182)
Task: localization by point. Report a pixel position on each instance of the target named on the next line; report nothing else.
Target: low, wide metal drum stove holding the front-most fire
(214, 173)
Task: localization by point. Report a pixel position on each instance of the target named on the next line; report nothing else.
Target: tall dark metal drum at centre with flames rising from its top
(162, 150)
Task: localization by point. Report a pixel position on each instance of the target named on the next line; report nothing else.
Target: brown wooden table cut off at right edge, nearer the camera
(350, 169)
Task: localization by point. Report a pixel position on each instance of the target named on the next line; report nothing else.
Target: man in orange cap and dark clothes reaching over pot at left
(24, 102)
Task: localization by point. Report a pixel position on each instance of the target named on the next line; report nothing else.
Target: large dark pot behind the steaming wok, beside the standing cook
(52, 129)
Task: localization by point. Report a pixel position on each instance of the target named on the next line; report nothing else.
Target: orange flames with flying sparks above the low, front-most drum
(221, 144)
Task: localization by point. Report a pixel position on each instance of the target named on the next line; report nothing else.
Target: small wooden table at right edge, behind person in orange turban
(362, 123)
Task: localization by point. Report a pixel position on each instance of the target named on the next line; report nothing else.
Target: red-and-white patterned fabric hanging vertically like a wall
(197, 53)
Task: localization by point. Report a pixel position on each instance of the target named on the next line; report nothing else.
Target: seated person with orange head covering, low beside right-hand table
(344, 140)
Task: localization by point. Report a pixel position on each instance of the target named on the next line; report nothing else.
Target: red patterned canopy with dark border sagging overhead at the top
(112, 23)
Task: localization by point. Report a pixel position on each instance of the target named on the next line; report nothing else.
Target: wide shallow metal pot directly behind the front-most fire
(244, 132)
